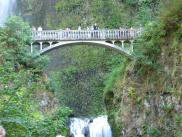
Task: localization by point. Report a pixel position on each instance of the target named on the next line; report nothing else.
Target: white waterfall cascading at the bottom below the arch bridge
(97, 127)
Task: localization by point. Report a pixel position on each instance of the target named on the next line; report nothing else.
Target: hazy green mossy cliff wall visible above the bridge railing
(108, 14)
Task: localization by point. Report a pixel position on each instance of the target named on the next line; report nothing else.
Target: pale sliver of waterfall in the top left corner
(6, 7)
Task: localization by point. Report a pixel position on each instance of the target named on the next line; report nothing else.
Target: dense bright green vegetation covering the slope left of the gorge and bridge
(23, 87)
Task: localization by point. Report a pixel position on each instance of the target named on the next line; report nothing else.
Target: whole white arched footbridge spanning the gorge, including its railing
(120, 40)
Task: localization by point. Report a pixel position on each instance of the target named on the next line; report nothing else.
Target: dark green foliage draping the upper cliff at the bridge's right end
(149, 46)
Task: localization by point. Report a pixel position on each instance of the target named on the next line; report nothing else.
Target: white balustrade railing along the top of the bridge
(74, 35)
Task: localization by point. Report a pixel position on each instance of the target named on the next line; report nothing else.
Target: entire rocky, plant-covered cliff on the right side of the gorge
(147, 98)
